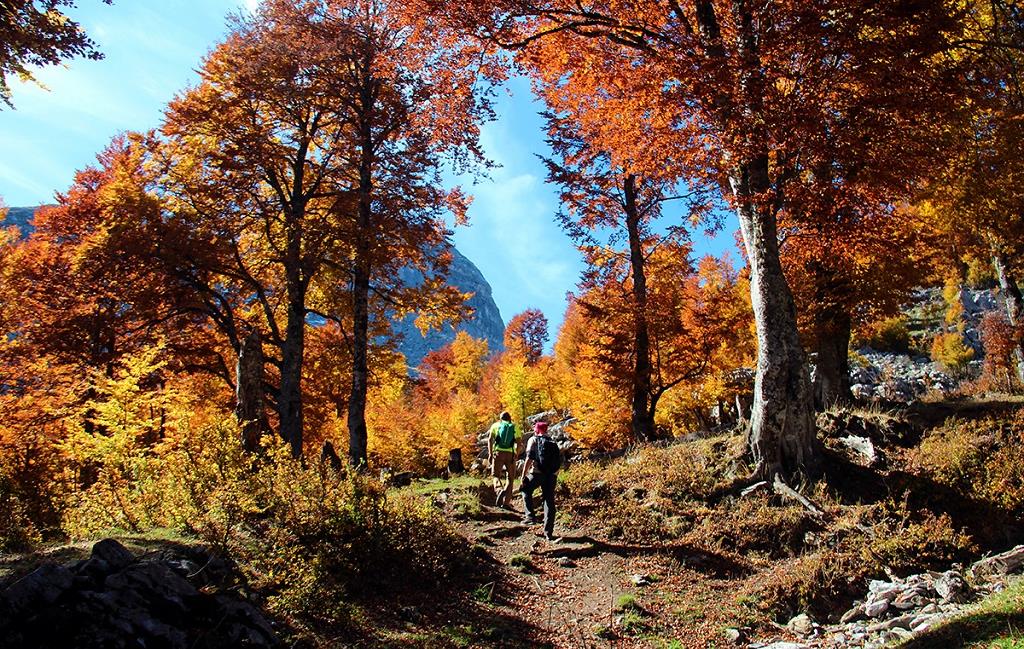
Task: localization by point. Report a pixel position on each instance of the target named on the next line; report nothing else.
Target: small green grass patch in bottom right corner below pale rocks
(996, 624)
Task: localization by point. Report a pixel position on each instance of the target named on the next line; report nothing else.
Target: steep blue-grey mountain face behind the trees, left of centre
(486, 323)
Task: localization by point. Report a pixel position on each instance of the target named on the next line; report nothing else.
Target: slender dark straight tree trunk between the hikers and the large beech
(642, 416)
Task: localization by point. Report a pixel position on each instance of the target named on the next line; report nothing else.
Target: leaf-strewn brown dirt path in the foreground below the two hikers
(587, 592)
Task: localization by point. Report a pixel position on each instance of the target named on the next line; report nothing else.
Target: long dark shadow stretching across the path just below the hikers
(713, 565)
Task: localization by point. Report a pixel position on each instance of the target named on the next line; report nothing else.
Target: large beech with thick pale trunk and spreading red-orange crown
(736, 93)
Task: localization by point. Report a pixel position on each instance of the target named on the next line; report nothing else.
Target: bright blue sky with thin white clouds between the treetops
(152, 49)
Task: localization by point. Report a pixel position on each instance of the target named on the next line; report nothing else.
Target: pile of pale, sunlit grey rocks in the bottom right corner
(901, 609)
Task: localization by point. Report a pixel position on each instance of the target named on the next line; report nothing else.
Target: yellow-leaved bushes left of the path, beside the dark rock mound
(307, 538)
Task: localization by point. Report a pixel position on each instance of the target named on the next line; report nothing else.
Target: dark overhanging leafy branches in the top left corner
(36, 33)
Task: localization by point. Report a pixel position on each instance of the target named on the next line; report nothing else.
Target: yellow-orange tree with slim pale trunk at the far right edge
(974, 202)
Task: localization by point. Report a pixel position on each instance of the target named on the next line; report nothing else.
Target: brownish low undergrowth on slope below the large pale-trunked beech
(925, 517)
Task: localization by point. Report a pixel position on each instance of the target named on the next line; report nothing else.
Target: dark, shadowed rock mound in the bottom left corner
(115, 601)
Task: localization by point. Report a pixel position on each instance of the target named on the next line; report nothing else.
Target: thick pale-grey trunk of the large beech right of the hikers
(783, 437)
